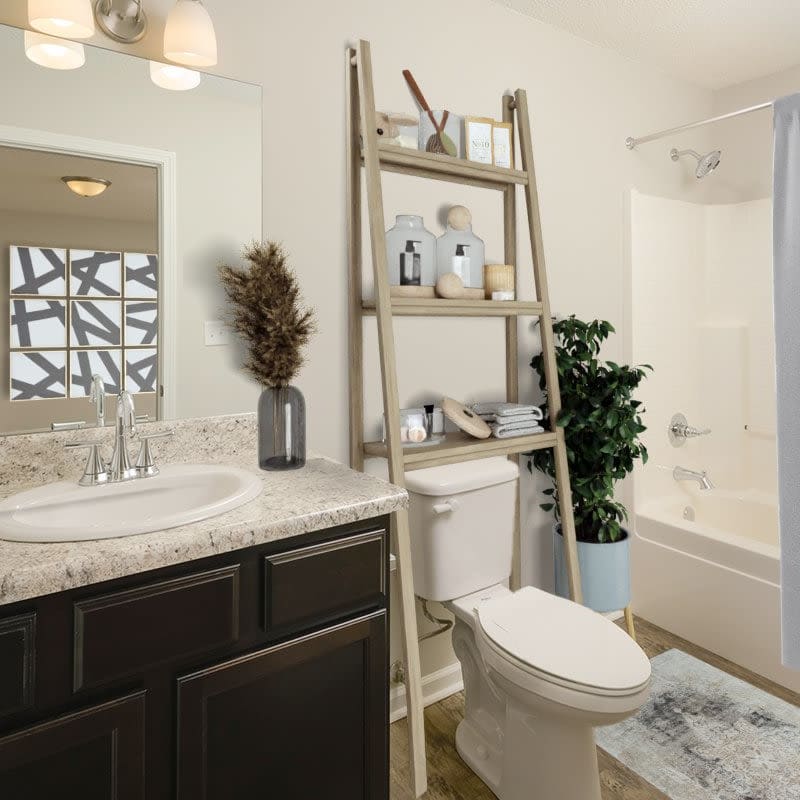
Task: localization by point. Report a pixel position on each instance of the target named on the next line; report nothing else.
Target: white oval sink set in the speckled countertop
(178, 495)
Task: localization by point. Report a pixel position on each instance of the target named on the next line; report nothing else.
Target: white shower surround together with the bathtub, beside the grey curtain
(717, 366)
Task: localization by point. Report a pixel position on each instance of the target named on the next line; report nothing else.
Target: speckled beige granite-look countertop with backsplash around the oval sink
(322, 495)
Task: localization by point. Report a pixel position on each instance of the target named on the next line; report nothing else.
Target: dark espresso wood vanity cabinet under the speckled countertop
(257, 673)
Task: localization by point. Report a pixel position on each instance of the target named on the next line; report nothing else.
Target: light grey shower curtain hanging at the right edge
(786, 266)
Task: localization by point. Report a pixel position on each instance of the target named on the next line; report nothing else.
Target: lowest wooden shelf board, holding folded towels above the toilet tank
(460, 447)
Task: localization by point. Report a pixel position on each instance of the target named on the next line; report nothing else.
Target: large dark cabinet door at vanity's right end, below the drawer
(304, 719)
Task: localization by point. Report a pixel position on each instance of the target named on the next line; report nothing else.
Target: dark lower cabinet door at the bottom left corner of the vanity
(95, 754)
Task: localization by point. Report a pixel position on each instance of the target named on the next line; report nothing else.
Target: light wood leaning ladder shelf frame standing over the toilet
(376, 156)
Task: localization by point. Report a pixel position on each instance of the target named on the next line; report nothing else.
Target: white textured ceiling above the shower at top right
(712, 43)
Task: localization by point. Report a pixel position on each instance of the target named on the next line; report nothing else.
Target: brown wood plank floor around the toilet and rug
(450, 779)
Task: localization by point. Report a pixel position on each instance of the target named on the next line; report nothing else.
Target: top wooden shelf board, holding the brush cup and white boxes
(446, 168)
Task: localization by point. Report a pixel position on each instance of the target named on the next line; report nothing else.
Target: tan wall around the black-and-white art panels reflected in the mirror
(67, 232)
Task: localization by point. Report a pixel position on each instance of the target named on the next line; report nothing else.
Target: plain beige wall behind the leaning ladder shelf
(584, 101)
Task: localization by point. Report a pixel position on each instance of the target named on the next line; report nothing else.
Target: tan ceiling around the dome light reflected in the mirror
(30, 182)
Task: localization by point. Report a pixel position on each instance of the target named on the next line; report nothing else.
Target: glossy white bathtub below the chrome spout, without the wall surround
(706, 567)
